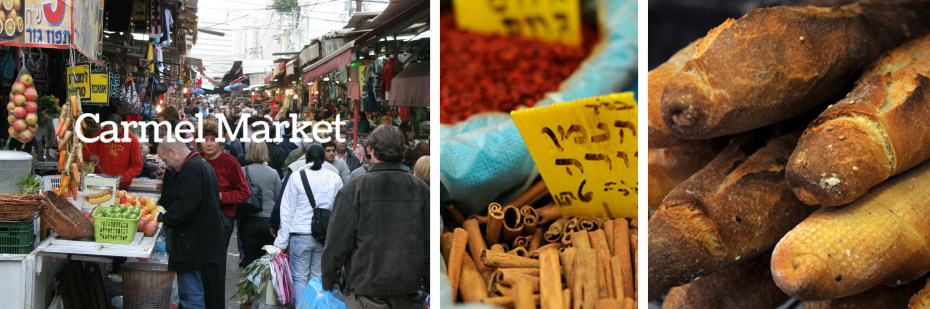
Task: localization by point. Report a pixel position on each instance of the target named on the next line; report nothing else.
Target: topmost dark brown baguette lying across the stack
(775, 63)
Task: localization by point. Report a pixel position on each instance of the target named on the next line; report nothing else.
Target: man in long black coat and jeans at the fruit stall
(193, 216)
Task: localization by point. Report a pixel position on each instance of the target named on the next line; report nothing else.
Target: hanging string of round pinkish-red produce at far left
(22, 107)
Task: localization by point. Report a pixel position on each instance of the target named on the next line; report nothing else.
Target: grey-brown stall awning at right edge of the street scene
(411, 86)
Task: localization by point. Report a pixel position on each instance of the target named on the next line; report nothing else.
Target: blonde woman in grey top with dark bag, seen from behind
(253, 228)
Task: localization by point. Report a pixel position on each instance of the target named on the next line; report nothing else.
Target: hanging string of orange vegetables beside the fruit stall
(71, 157)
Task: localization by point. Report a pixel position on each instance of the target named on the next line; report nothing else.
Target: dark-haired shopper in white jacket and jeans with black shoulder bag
(297, 213)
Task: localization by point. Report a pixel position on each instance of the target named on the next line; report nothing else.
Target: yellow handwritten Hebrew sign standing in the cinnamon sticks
(586, 151)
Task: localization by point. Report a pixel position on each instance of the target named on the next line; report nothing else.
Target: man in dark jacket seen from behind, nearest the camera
(378, 231)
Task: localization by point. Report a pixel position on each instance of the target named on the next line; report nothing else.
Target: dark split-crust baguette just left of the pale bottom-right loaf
(736, 207)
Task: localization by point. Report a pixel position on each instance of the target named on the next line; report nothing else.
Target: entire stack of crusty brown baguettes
(832, 211)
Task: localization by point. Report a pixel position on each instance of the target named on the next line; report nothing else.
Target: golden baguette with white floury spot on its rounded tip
(879, 130)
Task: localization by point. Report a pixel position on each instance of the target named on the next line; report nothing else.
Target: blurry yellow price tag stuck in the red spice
(548, 20)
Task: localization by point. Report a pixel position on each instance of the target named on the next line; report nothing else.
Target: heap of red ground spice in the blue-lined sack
(486, 72)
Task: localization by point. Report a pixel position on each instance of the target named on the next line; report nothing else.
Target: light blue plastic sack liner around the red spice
(484, 158)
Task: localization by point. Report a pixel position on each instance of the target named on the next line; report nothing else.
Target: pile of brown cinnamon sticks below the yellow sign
(522, 257)
